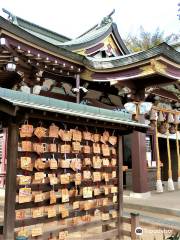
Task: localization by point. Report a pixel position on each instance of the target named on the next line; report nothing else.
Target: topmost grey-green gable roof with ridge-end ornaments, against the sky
(90, 38)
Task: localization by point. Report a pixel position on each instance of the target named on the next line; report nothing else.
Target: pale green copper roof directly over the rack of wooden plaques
(32, 101)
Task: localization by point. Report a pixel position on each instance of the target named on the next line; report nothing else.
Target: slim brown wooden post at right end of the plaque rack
(120, 187)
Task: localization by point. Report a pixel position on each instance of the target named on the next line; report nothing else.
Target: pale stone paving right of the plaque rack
(159, 208)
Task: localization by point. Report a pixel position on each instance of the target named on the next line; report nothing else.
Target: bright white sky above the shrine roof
(73, 17)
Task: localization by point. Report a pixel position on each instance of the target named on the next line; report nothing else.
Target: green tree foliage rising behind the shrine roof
(146, 40)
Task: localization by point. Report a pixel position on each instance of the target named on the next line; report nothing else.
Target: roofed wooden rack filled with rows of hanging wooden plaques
(47, 175)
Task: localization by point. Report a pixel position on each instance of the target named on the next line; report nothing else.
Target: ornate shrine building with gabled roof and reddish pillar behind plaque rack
(52, 65)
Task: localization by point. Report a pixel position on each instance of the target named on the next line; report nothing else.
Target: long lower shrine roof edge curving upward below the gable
(93, 63)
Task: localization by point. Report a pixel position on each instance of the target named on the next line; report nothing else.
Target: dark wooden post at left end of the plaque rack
(10, 191)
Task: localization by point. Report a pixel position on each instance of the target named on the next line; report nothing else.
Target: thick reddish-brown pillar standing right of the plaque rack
(139, 163)
